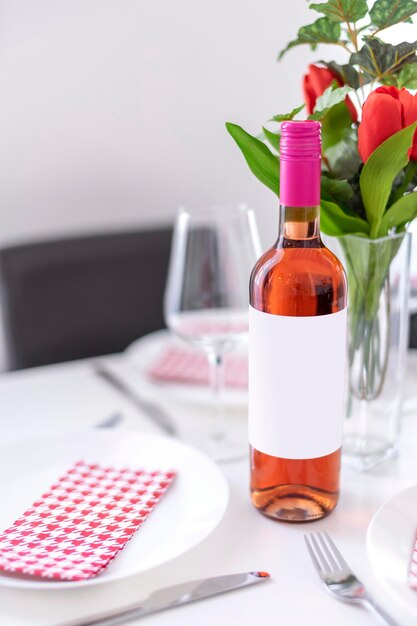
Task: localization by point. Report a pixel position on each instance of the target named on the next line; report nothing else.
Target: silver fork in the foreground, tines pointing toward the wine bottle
(337, 575)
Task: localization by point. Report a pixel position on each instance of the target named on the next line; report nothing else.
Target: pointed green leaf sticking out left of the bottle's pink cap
(259, 158)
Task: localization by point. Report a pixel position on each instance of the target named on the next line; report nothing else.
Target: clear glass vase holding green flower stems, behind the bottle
(378, 281)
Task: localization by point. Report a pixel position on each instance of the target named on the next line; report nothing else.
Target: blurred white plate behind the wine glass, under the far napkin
(144, 351)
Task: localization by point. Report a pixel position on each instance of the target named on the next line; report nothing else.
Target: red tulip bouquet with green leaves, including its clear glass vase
(369, 173)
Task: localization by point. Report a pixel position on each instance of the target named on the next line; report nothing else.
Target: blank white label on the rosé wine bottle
(296, 383)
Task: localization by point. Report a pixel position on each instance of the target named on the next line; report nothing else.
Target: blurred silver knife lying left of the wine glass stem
(152, 410)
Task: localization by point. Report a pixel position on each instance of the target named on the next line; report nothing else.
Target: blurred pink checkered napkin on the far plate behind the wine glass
(176, 364)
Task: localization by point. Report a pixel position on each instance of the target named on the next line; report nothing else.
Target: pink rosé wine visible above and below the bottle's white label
(299, 276)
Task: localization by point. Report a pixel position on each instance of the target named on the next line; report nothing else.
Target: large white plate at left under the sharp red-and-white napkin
(186, 514)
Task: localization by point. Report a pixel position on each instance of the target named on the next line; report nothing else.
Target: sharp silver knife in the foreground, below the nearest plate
(177, 595)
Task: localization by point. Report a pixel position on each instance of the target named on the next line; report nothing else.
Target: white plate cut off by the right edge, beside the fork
(389, 542)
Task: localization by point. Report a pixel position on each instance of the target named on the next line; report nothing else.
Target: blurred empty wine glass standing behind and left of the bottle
(206, 298)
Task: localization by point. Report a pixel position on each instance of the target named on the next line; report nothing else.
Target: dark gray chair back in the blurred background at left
(82, 297)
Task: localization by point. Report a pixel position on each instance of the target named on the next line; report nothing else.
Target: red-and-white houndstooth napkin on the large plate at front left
(79, 525)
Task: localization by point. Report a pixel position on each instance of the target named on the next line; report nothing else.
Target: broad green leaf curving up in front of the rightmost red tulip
(379, 172)
